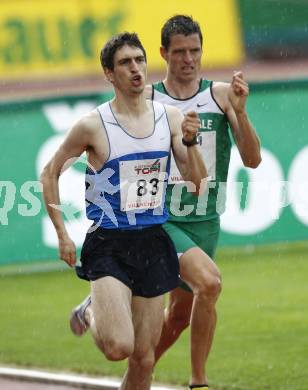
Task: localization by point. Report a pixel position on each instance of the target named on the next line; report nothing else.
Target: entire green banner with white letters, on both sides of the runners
(265, 205)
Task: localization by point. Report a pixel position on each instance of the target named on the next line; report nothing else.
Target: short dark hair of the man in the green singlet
(179, 24)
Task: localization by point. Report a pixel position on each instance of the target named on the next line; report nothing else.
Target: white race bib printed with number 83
(142, 183)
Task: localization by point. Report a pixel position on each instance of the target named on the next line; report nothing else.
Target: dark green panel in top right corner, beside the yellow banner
(277, 31)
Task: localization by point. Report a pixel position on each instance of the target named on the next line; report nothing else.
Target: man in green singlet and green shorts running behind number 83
(194, 221)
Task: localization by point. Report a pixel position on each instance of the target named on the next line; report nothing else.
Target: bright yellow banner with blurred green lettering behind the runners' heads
(64, 38)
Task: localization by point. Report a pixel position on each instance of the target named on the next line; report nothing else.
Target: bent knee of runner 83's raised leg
(116, 349)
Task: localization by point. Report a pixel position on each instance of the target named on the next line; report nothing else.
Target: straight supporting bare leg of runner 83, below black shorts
(148, 320)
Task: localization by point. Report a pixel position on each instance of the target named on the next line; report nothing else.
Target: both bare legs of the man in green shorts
(203, 276)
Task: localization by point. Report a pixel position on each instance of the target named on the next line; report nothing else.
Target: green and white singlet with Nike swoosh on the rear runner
(215, 141)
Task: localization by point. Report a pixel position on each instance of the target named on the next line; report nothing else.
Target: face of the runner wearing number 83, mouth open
(129, 72)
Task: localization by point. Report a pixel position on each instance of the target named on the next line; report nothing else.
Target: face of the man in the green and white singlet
(183, 56)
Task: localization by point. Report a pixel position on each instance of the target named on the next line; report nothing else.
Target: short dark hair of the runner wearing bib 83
(117, 42)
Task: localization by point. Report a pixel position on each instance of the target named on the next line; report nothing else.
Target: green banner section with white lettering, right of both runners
(270, 204)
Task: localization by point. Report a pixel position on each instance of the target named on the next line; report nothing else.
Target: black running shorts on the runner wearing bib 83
(145, 260)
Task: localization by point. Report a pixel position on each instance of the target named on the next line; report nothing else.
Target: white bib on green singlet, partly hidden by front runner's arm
(207, 140)
